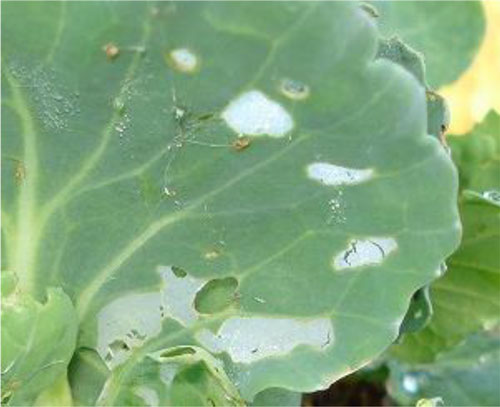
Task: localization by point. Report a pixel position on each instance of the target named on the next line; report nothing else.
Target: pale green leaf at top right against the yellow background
(436, 28)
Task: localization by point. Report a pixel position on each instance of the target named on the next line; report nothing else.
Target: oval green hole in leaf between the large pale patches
(216, 295)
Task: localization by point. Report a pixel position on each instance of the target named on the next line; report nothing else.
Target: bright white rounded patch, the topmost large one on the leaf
(254, 114)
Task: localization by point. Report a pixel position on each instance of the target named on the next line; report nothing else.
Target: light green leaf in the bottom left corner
(37, 343)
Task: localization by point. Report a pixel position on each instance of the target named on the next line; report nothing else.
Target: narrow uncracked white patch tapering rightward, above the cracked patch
(334, 175)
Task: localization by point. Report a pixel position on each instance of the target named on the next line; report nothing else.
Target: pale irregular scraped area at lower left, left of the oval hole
(128, 321)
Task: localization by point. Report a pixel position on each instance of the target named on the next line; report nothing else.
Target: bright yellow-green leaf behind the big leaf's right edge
(467, 298)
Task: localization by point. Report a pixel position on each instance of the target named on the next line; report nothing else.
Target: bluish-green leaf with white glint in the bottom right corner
(468, 375)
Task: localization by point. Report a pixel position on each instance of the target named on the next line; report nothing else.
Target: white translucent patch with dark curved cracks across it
(365, 252)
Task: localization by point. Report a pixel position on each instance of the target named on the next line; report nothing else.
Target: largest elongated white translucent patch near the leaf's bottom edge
(249, 339)
